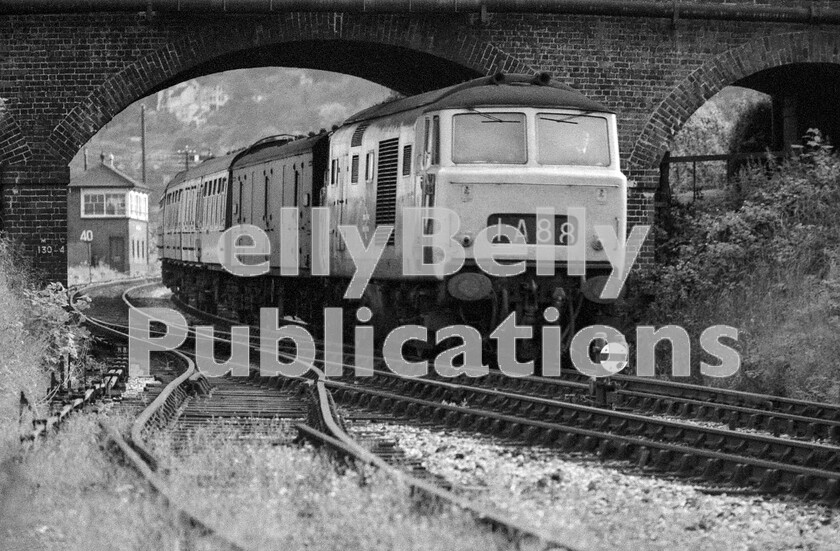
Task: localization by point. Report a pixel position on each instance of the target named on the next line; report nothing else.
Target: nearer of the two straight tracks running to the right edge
(771, 464)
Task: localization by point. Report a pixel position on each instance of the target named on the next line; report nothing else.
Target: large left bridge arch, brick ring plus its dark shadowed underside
(409, 58)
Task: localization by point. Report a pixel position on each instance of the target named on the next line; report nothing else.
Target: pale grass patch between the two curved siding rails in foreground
(279, 497)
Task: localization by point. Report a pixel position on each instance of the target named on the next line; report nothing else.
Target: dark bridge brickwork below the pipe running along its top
(62, 77)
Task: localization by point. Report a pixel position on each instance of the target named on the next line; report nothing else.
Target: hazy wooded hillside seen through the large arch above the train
(226, 111)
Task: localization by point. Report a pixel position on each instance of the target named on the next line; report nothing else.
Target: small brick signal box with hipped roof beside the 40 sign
(111, 209)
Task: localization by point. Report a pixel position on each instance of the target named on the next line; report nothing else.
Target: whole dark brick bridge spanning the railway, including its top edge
(67, 67)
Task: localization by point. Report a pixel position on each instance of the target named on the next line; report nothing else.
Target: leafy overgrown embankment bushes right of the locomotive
(765, 263)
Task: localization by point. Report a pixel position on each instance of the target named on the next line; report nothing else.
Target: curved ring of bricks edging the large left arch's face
(134, 80)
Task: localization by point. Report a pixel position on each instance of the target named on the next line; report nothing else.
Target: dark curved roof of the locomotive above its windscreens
(492, 91)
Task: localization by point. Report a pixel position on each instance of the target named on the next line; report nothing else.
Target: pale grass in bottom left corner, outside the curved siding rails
(66, 493)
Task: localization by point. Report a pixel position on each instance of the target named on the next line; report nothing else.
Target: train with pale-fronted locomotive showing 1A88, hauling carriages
(489, 151)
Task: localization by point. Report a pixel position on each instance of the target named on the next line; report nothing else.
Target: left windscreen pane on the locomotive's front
(497, 138)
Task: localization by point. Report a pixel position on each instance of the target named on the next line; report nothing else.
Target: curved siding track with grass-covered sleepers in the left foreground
(188, 402)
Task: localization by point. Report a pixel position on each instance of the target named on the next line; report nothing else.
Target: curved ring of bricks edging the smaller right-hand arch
(721, 71)
